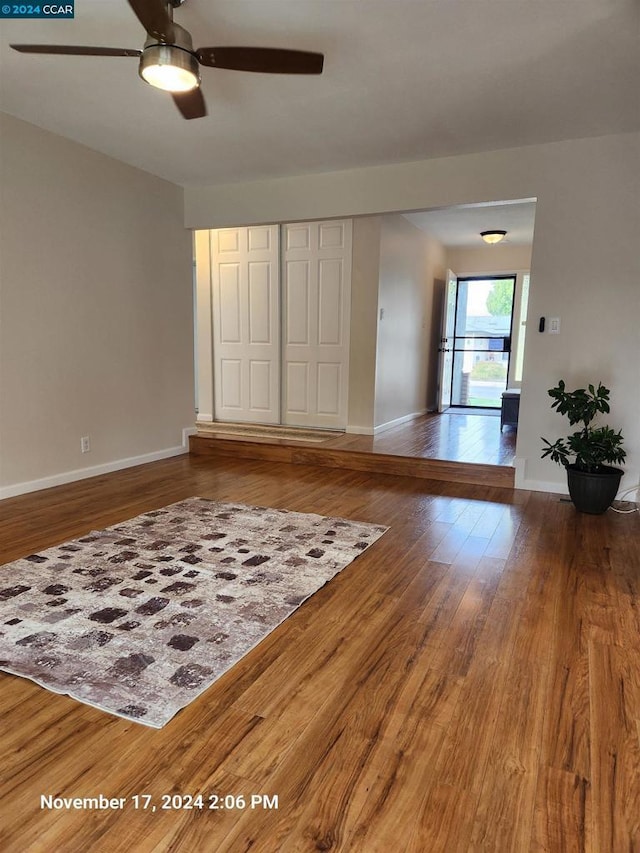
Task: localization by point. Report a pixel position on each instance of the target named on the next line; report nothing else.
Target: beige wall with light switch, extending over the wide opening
(585, 267)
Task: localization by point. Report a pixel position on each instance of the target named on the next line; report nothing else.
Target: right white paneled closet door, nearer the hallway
(316, 303)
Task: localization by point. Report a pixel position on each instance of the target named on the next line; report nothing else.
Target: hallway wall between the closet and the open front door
(409, 263)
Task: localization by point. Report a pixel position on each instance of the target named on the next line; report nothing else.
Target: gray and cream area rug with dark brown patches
(141, 618)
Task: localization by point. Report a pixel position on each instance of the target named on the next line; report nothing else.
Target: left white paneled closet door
(246, 324)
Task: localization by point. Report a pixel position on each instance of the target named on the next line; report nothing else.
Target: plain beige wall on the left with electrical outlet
(96, 333)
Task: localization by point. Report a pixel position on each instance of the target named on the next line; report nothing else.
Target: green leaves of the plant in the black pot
(591, 448)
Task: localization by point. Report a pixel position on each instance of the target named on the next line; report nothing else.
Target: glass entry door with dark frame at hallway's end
(482, 340)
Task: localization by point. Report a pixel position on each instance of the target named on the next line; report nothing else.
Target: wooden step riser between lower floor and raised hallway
(355, 460)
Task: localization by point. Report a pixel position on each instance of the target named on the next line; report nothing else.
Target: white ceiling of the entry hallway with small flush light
(460, 226)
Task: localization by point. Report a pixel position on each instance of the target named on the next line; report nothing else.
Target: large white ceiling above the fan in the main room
(404, 80)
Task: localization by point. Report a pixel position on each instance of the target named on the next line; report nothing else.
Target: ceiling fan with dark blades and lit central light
(169, 61)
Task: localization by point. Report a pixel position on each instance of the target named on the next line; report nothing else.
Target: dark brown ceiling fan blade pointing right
(268, 60)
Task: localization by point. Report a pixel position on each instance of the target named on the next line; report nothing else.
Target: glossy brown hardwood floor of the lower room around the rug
(472, 682)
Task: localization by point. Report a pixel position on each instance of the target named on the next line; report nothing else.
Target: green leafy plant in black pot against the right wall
(588, 453)
